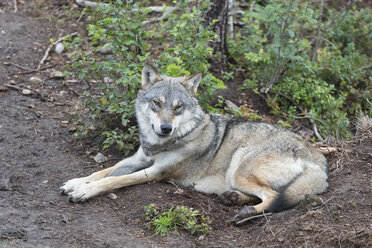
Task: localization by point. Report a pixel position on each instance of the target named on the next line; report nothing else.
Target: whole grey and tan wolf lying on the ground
(238, 160)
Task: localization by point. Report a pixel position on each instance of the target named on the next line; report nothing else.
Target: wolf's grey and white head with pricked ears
(166, 106)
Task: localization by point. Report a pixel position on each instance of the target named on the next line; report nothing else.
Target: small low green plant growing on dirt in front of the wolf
(176, 218)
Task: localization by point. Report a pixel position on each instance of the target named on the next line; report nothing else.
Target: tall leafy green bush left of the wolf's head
(118, 27)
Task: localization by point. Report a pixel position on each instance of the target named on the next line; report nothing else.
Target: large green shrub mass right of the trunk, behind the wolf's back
(304, 58)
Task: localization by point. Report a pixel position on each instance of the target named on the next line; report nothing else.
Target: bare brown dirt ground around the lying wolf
(37, 154)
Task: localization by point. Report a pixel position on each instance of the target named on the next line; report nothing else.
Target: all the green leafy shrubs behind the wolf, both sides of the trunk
(310, 60)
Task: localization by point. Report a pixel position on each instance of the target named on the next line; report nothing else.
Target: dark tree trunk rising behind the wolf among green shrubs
(219, 10)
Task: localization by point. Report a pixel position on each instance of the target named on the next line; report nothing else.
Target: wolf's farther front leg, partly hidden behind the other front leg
(127, 166)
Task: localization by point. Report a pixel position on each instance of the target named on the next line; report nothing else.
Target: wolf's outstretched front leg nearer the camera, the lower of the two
(87, 190)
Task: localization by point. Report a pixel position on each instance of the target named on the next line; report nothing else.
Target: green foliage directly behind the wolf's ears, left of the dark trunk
(186, 47)
